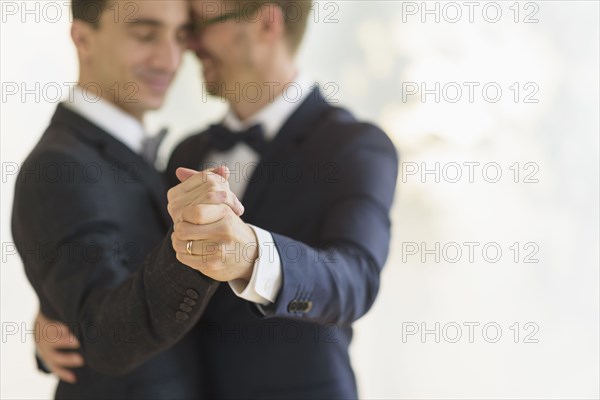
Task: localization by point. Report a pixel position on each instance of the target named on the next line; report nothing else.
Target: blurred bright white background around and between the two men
(541, 319)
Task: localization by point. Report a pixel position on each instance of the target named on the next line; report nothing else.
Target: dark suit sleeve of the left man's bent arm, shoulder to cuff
(66, 235)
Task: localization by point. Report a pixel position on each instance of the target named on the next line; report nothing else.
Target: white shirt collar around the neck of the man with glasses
(275, 114)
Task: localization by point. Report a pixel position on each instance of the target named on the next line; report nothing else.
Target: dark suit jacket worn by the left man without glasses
(87, 212)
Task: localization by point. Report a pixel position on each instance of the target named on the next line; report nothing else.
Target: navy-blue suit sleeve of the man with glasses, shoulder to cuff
(336, 278)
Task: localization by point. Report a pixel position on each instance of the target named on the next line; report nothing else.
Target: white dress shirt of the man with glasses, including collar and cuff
(265, 283)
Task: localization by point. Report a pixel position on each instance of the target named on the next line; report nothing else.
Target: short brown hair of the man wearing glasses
(295, 14)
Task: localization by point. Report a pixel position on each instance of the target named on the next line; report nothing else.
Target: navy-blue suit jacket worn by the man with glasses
(323, 188)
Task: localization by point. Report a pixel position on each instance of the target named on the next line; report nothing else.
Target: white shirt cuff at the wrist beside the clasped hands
(265, 282)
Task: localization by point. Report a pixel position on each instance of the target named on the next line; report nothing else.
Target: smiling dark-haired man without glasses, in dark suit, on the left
(89, 192)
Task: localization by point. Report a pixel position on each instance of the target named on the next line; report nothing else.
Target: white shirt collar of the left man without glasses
(119, 124)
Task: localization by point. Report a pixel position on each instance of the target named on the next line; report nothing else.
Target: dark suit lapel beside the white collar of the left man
(129, 165)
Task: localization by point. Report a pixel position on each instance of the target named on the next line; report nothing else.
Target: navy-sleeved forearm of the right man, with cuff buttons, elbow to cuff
(333, 284)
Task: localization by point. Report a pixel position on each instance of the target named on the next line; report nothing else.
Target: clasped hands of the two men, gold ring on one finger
(208, 233)
